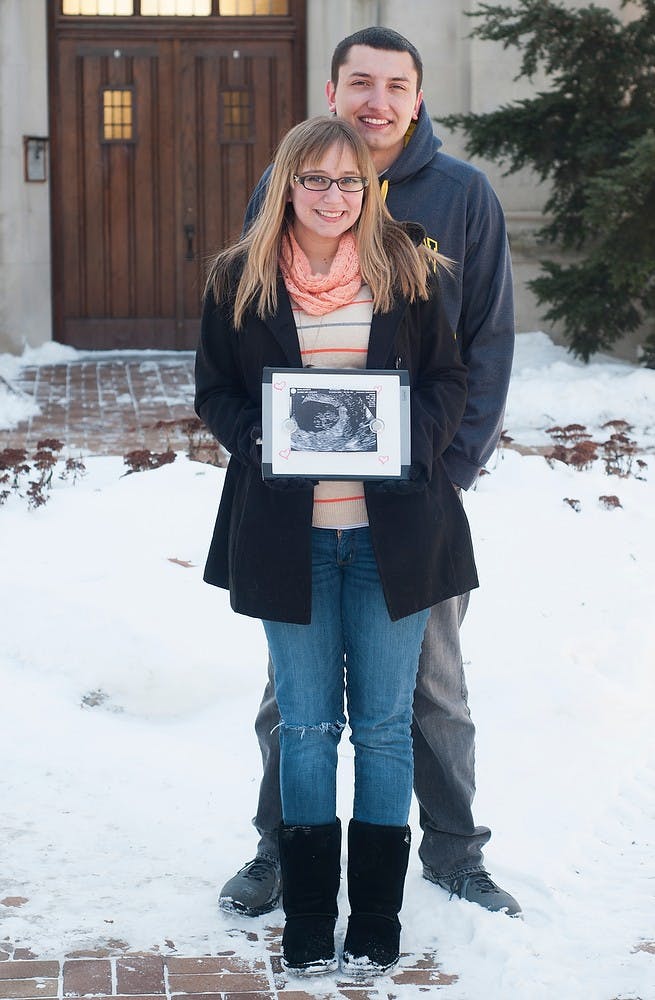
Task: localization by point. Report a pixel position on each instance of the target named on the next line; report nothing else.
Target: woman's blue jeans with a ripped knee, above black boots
(351, 629)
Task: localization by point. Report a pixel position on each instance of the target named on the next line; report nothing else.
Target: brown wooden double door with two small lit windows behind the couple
(157, 145)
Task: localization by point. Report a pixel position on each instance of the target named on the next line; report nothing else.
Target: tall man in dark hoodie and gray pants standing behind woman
(375, 84)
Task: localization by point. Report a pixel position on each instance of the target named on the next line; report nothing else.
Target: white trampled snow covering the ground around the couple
(128, 764)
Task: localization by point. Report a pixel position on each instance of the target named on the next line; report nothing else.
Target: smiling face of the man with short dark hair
(377, 93)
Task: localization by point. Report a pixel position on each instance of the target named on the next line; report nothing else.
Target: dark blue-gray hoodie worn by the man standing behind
(457, 207)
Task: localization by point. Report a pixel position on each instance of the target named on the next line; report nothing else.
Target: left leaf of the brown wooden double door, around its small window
(118, 206)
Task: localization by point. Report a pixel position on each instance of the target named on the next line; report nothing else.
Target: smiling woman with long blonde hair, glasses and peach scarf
(342, 574)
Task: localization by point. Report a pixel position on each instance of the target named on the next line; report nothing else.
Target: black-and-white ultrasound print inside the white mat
(333, 420)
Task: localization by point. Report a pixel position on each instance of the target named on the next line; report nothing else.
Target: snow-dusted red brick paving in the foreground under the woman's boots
(217, 977)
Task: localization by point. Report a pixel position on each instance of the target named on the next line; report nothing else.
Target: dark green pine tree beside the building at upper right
(591, 134)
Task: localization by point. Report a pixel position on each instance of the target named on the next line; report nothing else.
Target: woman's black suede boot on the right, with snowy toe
(377, 865)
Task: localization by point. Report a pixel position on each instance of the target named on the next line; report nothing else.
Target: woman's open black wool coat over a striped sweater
(261, 547)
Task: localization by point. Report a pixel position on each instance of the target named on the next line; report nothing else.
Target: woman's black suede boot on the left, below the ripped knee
(310, 858)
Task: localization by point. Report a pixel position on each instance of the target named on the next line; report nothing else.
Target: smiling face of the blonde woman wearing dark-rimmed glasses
(321, 217)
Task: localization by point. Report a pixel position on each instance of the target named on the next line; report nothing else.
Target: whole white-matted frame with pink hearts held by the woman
(323, 423)
